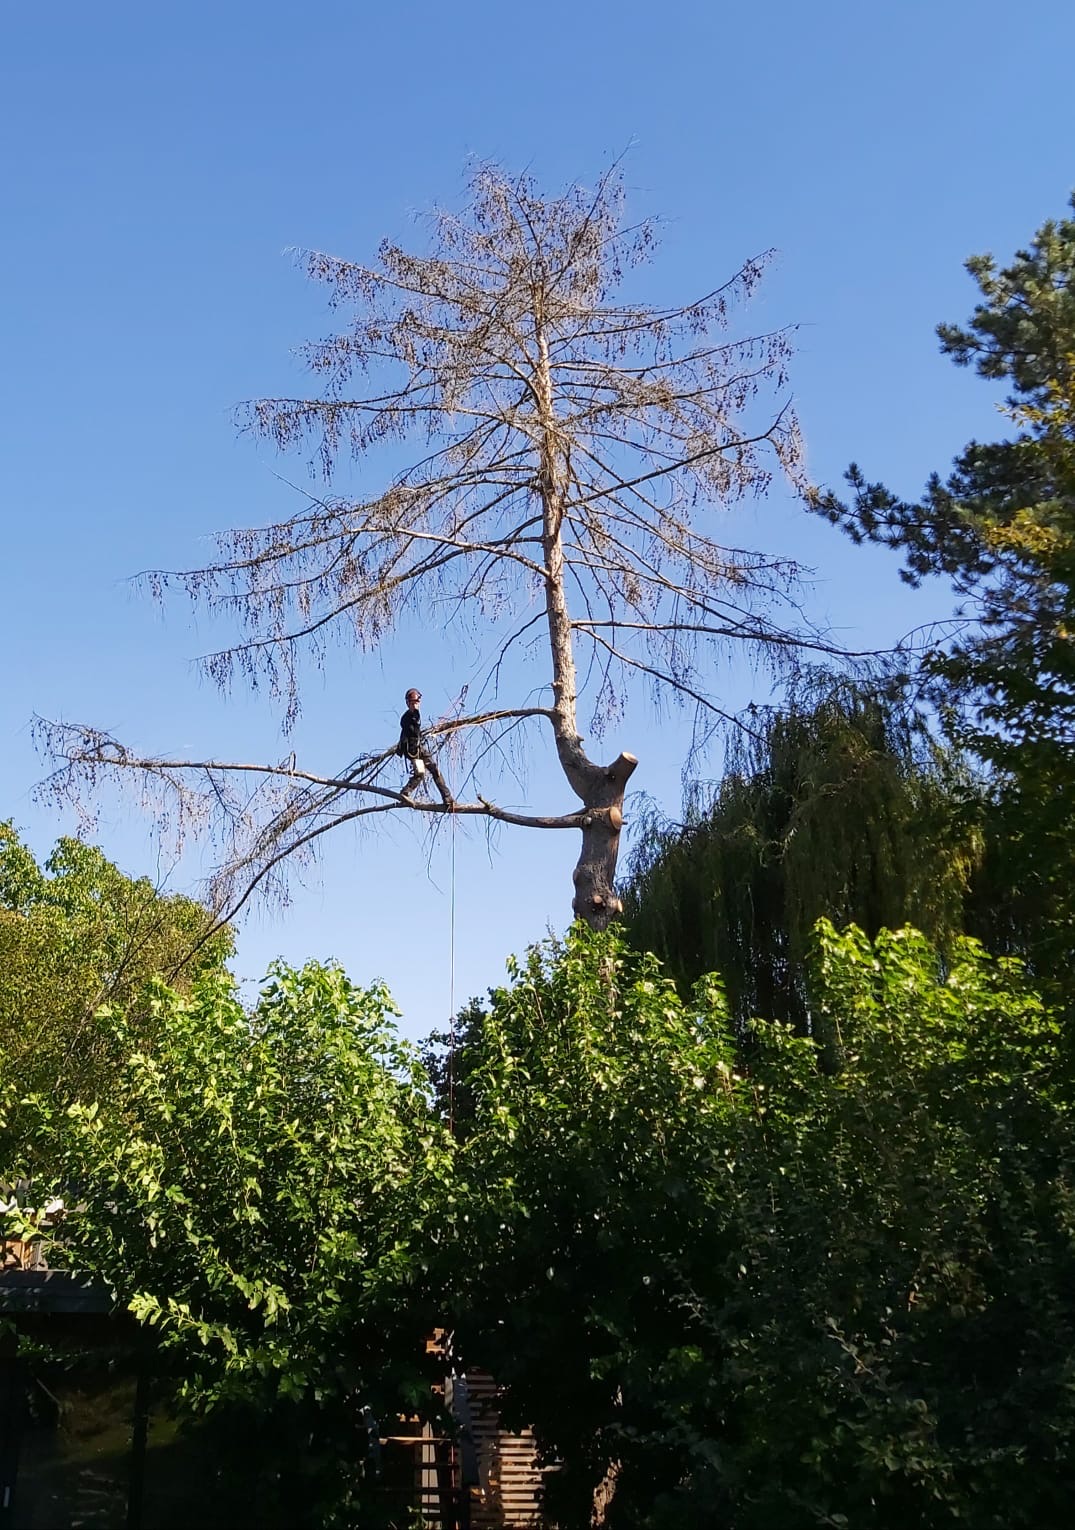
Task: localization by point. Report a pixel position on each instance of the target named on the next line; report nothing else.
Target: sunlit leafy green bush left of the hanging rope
(259, 1191)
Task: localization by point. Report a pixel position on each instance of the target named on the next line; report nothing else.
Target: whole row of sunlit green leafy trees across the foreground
(732, 1280)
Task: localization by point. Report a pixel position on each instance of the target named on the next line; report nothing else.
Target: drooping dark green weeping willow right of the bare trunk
(839, 806)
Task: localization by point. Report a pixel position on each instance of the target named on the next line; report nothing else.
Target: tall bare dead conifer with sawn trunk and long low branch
(568, 455)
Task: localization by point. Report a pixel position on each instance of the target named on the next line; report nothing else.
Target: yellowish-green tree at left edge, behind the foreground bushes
(74, 936)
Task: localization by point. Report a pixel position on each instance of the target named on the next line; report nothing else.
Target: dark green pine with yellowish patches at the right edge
(1002, 529)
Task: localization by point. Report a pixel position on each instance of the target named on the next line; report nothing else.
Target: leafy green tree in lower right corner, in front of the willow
(904, 1324)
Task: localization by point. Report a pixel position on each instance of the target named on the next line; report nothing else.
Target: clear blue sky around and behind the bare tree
(160, 161)
